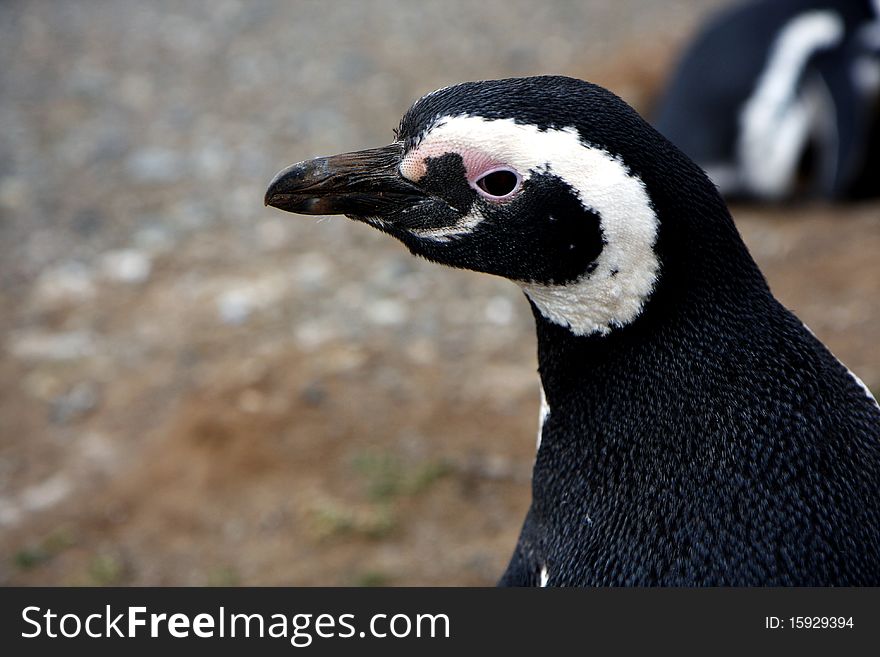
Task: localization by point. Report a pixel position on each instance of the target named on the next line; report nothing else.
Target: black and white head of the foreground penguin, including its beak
(551, 182)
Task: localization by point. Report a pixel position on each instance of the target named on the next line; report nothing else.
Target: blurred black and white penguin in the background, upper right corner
(781, 98)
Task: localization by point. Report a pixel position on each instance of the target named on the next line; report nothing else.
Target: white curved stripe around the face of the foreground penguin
(614, 293)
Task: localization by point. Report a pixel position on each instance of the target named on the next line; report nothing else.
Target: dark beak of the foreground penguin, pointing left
(364, 184)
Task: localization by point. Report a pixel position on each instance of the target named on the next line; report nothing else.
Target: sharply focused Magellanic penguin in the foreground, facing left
(694, 431)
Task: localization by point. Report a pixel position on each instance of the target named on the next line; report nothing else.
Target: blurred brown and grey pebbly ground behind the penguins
(198, 390)
